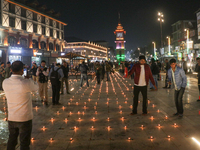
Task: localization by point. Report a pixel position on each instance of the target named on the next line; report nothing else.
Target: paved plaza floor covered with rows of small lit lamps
(97, 118)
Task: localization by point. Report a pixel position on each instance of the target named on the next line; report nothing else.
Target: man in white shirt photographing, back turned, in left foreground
(18, 93)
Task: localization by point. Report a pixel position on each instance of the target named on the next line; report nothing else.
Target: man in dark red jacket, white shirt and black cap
(142, 75)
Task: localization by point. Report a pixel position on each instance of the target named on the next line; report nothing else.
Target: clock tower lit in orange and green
(120, 42)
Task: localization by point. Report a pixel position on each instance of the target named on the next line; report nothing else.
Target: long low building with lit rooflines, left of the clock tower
(89, 49)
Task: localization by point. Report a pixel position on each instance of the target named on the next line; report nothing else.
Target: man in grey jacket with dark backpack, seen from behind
(56, 75)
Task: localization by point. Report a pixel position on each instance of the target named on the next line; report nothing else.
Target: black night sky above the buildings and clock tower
(97, 19)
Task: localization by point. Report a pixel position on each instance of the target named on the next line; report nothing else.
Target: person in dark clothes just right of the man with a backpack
(65, 69)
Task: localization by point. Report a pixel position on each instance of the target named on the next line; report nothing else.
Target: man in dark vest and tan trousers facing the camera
(42, 73)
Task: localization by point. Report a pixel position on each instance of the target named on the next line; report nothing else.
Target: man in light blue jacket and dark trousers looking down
(177, 75)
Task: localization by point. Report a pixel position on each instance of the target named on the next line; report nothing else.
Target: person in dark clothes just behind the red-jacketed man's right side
(155, 71)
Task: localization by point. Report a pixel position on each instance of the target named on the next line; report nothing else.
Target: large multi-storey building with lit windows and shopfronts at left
(29, 32)
